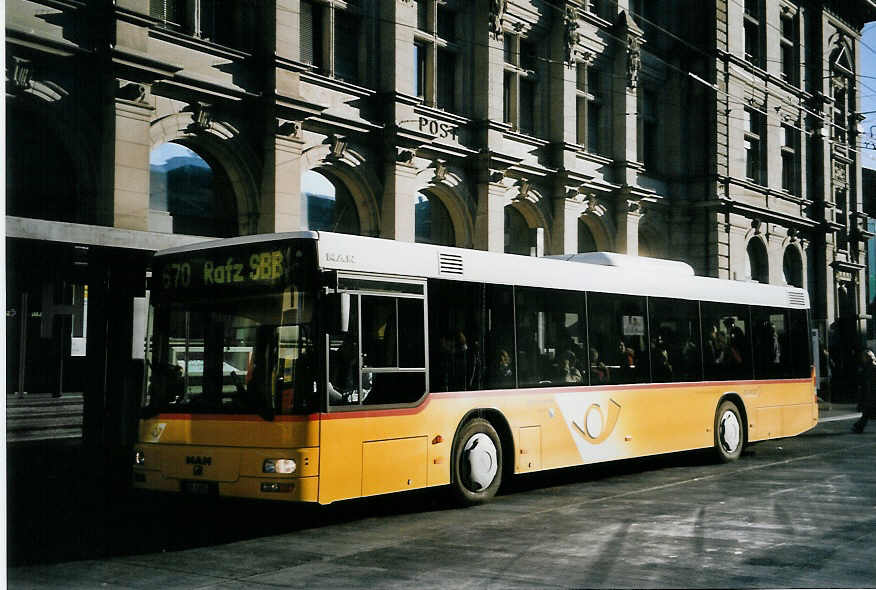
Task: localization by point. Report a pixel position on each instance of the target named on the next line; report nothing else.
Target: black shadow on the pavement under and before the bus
(58, 509)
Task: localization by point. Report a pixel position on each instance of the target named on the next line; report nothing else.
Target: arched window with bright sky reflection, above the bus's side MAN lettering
(327, 204)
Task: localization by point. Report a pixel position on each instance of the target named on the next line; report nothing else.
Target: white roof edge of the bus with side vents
(600, 272)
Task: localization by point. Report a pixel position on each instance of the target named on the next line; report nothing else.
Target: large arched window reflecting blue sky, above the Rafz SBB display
(189, 195)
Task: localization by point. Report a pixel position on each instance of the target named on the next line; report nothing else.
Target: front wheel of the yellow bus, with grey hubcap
(477, 463)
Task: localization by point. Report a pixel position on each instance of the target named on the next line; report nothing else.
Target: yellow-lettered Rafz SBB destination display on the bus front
(239, 267)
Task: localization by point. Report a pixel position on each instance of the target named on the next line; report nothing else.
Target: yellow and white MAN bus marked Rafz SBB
(317, 367)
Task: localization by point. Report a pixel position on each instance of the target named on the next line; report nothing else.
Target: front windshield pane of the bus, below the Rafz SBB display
(229, 356)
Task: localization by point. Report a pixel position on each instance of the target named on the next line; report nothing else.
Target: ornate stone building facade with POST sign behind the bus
(723, 133)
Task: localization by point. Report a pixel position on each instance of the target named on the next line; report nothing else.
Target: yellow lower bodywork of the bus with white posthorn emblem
(350, 454)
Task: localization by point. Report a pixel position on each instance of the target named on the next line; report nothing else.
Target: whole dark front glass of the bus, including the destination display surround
(237, 348)
